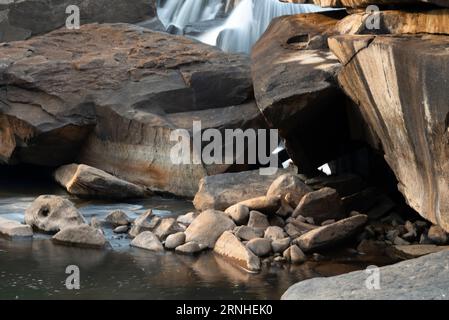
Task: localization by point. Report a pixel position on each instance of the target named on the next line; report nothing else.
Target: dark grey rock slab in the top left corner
(22, 19)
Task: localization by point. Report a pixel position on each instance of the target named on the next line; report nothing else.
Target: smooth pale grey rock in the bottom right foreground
(425, 278)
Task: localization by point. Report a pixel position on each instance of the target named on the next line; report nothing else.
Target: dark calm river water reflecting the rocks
(35, 269)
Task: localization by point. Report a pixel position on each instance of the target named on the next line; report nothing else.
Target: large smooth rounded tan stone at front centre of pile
(208, 227)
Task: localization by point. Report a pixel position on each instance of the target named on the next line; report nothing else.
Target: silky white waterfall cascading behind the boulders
(243, 27)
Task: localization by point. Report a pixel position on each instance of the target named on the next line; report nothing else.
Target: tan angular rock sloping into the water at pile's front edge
(228, 245)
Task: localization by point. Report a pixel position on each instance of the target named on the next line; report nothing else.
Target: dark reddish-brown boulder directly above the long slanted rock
(321, 205)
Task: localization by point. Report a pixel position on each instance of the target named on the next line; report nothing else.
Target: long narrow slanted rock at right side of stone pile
(331, 234)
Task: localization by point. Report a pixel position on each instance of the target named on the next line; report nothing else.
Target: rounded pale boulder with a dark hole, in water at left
(51, 213)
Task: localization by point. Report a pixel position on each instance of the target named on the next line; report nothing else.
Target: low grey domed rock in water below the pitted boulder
(82, 235)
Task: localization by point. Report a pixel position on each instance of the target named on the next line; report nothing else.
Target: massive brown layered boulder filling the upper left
(137, 87)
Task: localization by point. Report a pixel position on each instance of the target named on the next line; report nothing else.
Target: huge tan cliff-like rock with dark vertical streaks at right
(379, 74)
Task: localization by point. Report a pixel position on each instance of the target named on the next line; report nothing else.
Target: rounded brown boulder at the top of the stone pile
(288, 184)
